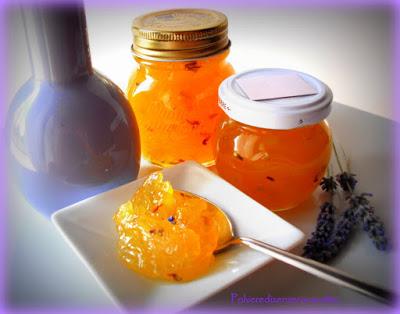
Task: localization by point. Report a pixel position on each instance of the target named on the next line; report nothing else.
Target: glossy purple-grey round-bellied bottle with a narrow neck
(71, 131)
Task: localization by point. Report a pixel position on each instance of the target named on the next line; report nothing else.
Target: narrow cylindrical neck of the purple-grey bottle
(58, 42)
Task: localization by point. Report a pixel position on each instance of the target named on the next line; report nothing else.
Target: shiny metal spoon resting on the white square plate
(317, 269)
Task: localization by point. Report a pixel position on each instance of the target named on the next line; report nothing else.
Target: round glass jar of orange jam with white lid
(276, 149)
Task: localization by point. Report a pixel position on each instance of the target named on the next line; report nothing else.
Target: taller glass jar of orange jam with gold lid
(181, 60)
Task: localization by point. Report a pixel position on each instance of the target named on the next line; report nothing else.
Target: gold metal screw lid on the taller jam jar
(180, 34)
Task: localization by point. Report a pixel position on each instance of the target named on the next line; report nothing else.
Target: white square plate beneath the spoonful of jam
(89, 229)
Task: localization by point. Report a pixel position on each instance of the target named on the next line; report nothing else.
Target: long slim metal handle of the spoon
(320, 270)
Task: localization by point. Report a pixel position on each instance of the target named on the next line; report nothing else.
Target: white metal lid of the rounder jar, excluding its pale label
(281, 113)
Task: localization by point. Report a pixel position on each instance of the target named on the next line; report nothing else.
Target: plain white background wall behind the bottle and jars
(349, 48)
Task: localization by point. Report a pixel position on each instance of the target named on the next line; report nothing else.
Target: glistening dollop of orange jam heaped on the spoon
(167, 234)
